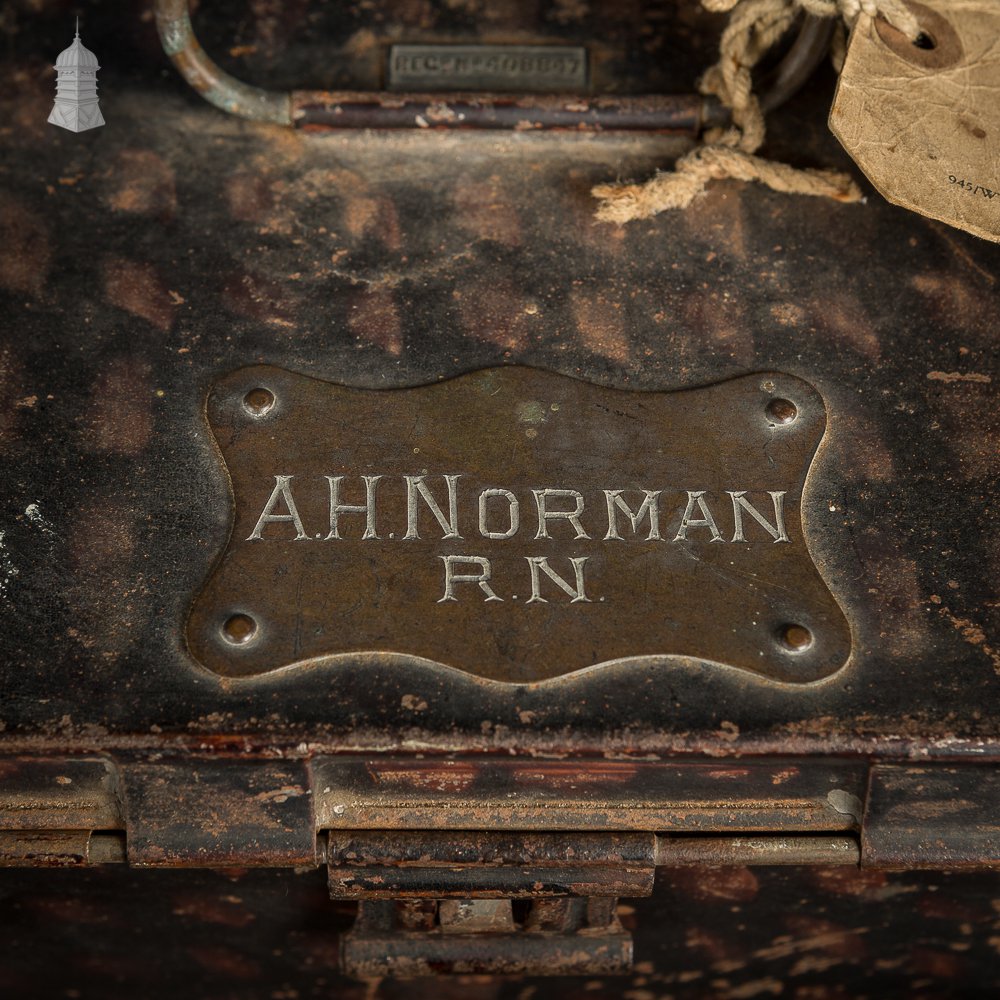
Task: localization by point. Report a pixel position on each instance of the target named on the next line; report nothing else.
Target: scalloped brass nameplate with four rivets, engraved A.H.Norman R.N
(517, 525)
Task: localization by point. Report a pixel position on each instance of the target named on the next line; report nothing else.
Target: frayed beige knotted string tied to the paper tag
(754, 27)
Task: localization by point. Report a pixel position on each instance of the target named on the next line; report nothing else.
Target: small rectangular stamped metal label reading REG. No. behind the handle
(487, 67)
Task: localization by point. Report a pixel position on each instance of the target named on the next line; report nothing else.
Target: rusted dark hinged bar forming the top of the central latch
(481, 865)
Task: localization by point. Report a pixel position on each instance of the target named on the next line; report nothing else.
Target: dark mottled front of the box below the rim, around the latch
(810, 934)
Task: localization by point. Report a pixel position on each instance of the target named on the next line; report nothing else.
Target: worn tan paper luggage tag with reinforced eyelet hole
(922, 119)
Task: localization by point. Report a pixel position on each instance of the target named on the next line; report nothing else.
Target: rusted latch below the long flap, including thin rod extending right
(530, 903)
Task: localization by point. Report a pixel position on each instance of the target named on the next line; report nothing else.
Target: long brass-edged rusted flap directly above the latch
(473, 794)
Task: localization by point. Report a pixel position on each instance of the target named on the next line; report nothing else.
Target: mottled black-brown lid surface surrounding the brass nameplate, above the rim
(142, 262)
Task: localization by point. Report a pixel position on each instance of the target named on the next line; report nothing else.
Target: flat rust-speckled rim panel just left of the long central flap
(218, 812)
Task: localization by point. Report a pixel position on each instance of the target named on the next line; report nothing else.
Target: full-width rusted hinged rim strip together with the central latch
(415, 841)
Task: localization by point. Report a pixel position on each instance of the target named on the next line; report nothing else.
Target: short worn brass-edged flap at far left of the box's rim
(59, 793)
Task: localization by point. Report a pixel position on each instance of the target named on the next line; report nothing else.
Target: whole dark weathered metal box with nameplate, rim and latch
(782, 814)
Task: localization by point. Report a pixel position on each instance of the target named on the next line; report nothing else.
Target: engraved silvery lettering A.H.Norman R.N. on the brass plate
(496, 514)
